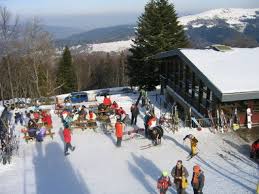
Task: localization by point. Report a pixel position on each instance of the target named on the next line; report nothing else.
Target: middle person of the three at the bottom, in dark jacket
(179, 172)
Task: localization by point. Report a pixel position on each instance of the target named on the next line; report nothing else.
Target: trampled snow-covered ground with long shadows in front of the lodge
(97, 166)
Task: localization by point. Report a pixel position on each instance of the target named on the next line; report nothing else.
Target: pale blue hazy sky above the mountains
(107, 12)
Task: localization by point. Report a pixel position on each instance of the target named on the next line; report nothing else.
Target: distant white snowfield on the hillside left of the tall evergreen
(116, 46)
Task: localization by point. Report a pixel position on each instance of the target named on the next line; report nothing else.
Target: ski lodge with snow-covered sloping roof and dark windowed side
(211, 79)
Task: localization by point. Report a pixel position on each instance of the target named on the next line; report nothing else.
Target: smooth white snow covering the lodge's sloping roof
(231, 71)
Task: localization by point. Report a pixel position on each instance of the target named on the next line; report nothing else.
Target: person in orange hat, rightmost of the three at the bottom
(197, 180)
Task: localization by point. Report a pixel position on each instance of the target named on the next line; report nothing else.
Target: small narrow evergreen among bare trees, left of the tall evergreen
(66, 73)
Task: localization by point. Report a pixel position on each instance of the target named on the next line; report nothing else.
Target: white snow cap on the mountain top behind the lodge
(233, 16)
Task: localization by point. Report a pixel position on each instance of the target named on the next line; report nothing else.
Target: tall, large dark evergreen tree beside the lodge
(158, 30)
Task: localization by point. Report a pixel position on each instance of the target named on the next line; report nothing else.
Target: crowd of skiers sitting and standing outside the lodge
(38, 122)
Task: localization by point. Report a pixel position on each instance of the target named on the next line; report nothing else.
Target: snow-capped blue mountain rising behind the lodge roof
(235, 27)
